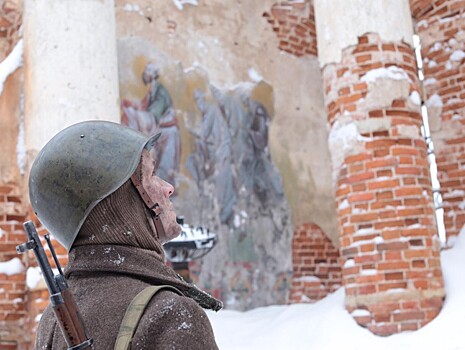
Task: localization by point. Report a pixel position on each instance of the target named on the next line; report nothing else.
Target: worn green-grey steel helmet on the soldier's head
(78, 168)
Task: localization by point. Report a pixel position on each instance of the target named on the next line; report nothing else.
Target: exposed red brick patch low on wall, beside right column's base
(316, 265)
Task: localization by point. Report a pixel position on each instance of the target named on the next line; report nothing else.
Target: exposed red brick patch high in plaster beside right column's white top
(294, 25)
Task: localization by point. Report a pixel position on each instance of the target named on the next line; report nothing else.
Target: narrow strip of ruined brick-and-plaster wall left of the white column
(13, 297)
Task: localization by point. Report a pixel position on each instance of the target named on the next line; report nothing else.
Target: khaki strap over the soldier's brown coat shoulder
(134, 313)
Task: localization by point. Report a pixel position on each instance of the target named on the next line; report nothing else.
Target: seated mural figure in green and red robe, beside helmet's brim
(155, 113)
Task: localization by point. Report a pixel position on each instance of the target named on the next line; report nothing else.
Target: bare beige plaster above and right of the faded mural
(235, 45)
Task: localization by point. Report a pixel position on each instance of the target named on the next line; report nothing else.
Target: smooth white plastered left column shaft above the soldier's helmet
(71, 66)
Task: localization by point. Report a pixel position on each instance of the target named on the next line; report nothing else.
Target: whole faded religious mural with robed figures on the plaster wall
(214, 149)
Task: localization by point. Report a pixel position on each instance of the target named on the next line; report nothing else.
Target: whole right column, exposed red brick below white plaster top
(387, 231)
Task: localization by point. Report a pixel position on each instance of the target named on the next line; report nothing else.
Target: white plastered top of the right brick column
(340, 22)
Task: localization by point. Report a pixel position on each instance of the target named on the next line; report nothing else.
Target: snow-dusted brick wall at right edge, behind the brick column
(441, 27)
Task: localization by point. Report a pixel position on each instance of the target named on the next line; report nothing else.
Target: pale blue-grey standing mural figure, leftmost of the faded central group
(212, 157)
